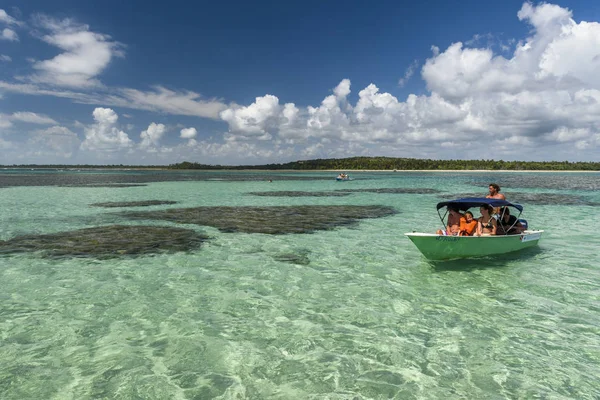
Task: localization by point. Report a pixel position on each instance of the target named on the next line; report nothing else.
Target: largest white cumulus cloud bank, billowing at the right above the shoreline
(546, 94)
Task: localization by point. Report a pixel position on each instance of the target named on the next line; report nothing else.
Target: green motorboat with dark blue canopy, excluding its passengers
(437, 247)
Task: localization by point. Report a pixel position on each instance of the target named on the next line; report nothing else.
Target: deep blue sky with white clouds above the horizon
(259, 82)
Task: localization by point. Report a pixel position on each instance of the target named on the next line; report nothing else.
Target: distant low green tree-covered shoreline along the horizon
(358, 163)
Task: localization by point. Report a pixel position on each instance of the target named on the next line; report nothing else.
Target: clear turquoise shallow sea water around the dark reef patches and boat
(353, 312)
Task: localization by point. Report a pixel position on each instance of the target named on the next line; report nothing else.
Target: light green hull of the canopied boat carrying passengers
(437, 247)
